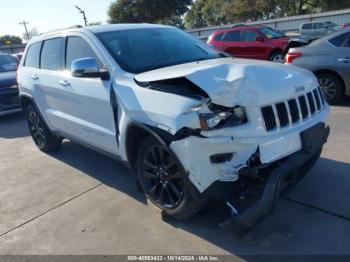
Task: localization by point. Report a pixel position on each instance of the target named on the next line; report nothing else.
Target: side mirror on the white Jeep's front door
(88, 68)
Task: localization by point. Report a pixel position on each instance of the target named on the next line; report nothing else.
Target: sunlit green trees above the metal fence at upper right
(217, 12)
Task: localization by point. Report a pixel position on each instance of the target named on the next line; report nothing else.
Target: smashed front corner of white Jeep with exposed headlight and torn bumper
(206, 158)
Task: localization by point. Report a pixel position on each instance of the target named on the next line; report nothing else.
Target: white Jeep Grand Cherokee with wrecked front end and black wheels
(192, 122)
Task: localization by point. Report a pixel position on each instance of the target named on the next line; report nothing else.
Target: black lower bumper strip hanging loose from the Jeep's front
(282, 178)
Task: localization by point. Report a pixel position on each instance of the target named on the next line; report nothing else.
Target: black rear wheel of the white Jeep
(42, 136)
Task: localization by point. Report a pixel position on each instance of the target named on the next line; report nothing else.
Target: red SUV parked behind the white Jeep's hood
(253, 42)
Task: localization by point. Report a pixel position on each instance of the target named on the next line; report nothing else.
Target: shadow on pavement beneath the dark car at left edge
(13, 126)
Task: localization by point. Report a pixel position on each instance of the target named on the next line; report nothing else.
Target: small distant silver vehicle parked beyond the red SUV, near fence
(318, 29)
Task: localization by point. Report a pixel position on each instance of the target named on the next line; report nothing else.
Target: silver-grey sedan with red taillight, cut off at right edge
(329, 59)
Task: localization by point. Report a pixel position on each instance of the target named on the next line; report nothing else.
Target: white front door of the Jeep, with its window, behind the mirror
(85, 102)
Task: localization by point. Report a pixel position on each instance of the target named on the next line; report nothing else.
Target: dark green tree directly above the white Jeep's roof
(146, 11)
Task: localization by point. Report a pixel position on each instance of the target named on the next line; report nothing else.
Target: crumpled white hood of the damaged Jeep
(230, 81)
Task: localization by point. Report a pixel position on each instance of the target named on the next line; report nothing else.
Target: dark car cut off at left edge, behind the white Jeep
(9, 101)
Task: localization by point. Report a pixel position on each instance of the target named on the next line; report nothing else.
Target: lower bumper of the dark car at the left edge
(9, 101)
